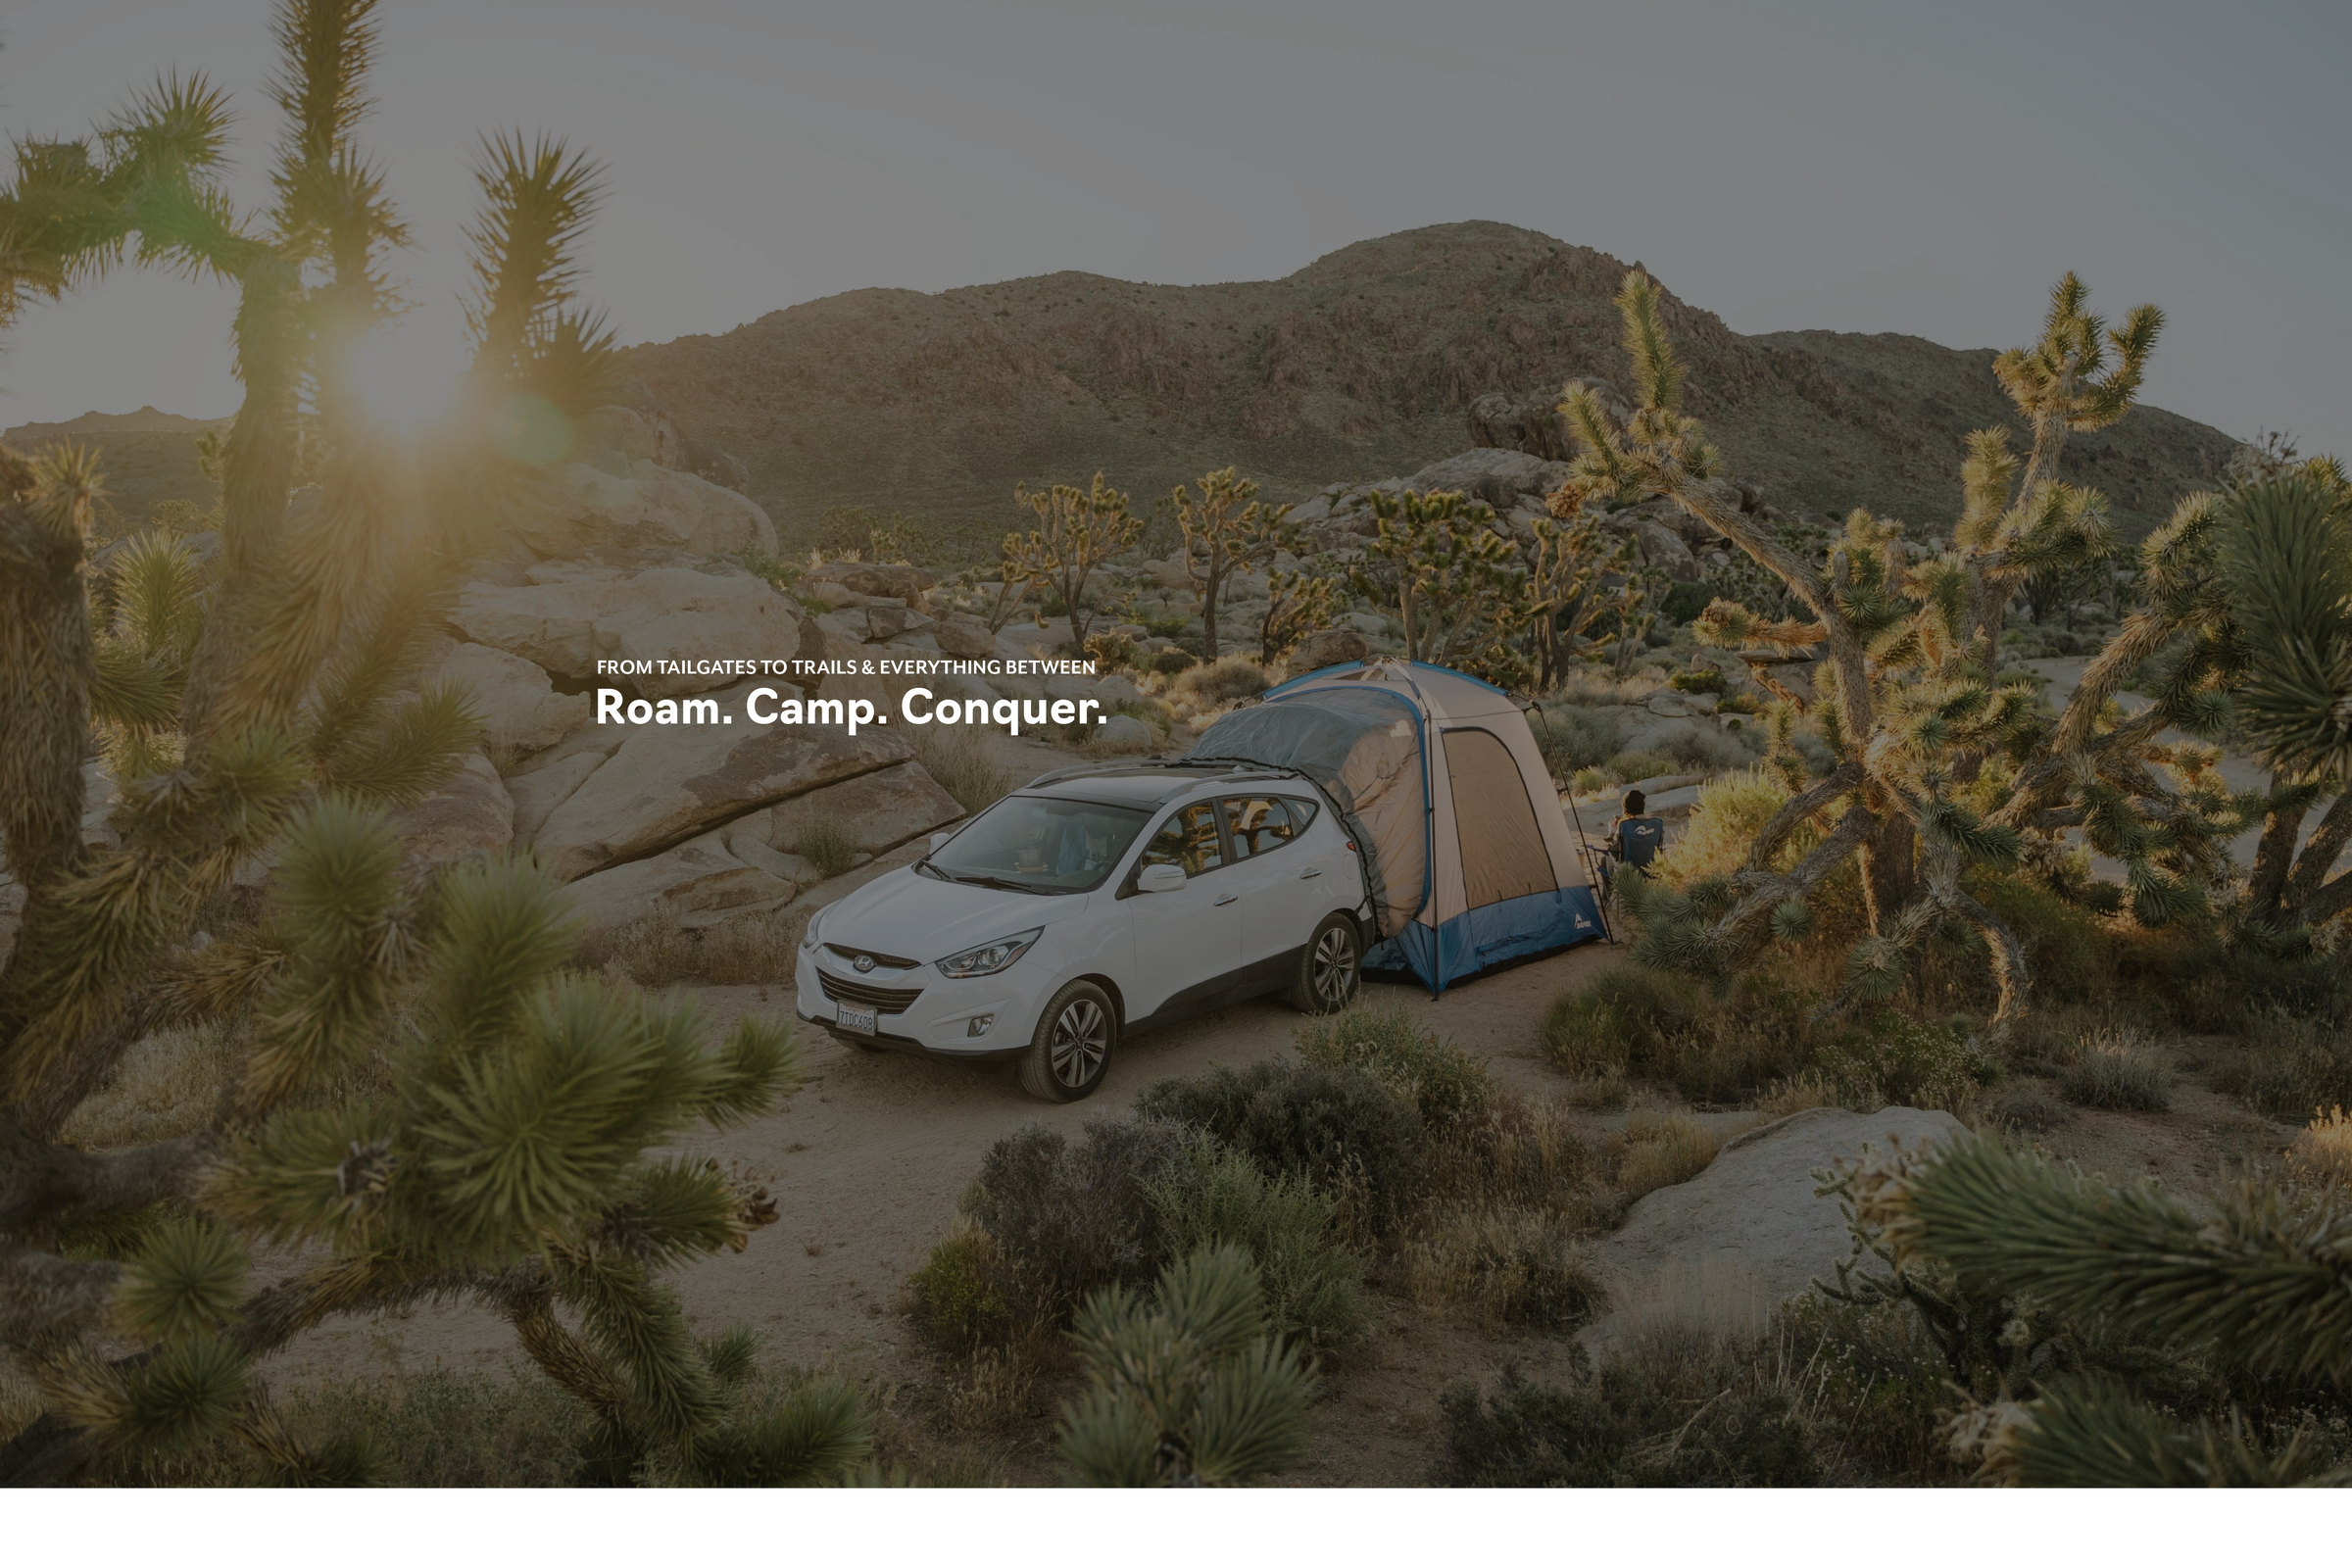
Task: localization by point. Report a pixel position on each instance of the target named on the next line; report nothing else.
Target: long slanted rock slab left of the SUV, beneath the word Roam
(664, 786)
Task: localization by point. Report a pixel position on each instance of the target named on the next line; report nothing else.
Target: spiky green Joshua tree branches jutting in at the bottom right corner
(2259, 1282)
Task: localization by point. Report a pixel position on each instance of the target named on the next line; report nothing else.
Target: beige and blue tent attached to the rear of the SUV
(1466, 855)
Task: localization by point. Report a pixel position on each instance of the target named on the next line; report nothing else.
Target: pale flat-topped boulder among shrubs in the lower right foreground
(1746, 1233)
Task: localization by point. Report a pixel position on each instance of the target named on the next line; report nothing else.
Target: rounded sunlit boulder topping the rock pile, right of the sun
(650, 509)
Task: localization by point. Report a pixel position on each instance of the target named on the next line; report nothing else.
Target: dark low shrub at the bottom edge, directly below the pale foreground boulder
(1673, 1409)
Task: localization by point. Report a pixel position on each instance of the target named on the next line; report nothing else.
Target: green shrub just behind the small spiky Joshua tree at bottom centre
(1314, 1285)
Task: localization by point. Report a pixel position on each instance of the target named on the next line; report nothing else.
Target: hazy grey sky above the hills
(1800, 163)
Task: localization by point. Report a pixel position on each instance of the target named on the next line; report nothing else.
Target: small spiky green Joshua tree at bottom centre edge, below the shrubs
(1189, 1391)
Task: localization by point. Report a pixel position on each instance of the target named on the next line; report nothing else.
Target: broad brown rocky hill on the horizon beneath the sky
(1356, 368)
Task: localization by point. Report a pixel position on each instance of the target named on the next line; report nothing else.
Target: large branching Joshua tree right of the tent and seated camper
(1937, 760)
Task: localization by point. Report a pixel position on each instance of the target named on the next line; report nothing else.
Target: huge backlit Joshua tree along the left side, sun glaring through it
(272, 709)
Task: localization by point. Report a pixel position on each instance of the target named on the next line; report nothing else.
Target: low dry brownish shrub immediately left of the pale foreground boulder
(1502, 1266)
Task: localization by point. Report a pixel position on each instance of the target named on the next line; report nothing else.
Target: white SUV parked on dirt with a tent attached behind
(1090, 906)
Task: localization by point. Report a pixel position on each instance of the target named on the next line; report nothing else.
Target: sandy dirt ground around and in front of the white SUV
(869, 1160)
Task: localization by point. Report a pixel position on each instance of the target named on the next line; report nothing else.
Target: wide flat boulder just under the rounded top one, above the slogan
(570, 615)
